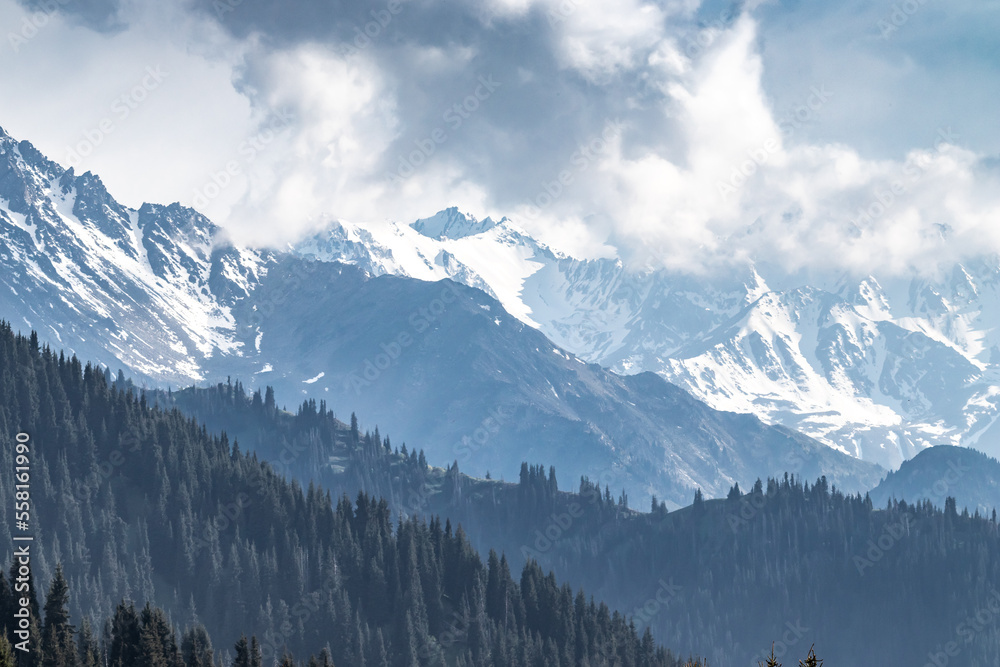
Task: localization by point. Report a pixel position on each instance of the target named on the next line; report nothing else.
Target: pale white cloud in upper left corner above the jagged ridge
(61, 85)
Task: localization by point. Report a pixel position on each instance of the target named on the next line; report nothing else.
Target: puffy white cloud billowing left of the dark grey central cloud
(342, 119)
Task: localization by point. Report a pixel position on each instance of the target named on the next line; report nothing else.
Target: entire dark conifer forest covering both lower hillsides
(165, 527)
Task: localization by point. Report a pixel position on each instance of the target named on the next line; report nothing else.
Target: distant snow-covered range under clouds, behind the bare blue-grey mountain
(878, 367)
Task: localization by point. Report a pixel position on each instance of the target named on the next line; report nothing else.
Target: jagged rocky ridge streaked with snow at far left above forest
(132, 283)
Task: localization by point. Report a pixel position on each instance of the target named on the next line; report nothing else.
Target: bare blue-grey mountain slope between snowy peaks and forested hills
(444, 366)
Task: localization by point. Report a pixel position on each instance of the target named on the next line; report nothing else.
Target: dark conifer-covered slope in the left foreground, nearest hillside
(141, 504)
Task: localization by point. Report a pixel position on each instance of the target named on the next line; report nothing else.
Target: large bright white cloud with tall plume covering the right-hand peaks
(795, 203)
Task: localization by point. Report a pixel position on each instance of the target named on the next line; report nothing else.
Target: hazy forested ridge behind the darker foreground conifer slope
(892, 582)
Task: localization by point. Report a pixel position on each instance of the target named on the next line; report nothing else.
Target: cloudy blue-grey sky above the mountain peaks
(692, 135)
